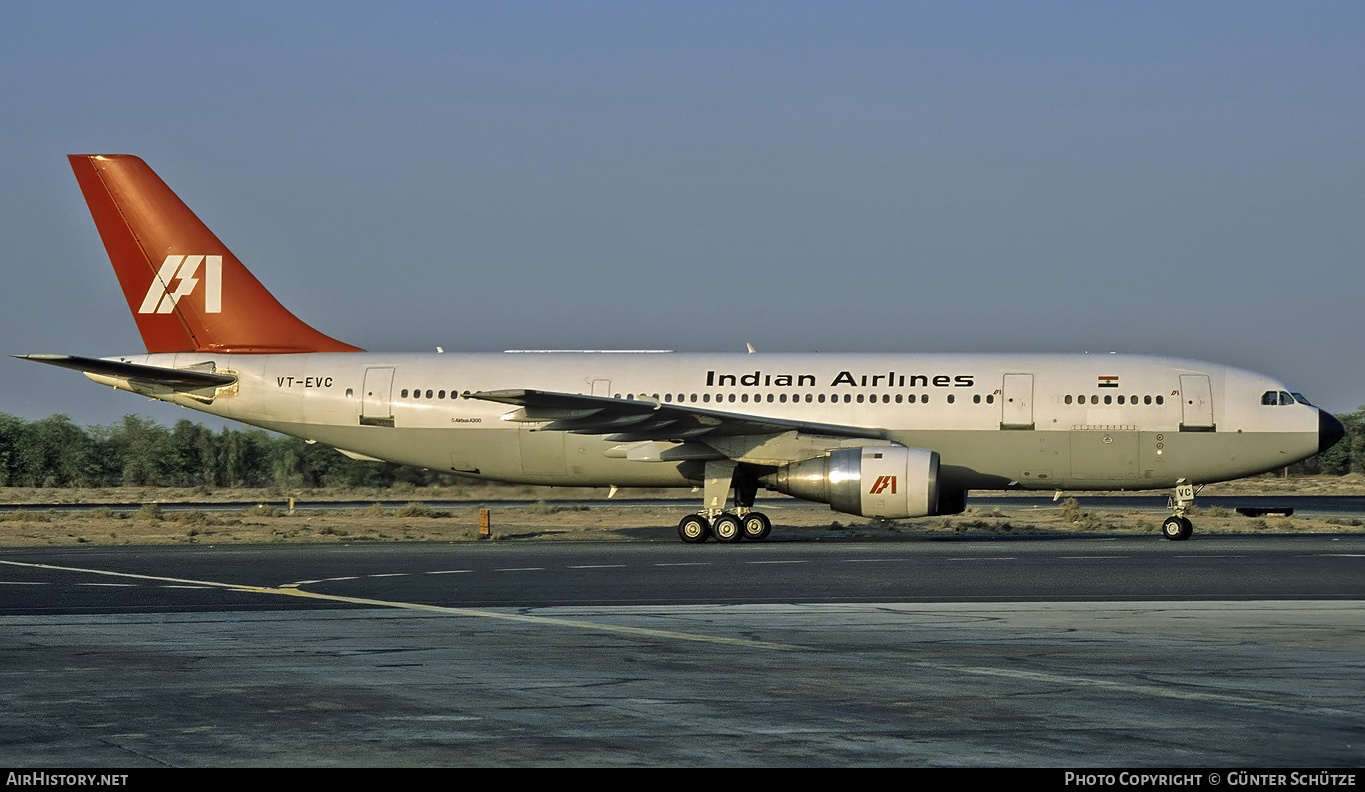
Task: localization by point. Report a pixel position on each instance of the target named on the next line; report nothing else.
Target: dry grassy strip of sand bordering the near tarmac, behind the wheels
(543, 520)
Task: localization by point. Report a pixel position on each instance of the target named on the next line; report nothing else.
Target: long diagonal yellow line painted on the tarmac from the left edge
(525, 619)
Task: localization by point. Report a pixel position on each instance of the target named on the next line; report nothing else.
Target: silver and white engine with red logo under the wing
(885, 481)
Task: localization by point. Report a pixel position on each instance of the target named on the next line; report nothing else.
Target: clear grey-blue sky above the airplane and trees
(1169, 178)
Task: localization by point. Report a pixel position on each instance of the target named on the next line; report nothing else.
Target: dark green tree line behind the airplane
(55, 453)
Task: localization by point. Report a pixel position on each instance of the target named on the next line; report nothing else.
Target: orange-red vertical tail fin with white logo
(186, 290)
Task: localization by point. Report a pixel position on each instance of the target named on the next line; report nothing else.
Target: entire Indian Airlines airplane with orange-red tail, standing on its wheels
(882, 436)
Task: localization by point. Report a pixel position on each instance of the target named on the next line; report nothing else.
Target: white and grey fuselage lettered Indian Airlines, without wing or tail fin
(997, 421)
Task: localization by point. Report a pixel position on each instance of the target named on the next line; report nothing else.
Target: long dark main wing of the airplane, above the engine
(641, 421)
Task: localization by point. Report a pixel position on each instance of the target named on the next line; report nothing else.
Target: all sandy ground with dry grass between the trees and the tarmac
(543, 517)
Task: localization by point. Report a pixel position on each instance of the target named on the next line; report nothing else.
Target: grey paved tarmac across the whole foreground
(1220, 652)
